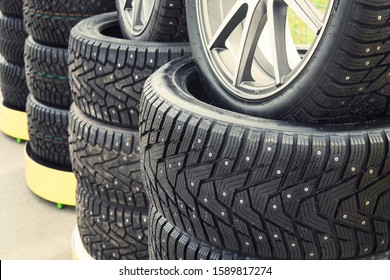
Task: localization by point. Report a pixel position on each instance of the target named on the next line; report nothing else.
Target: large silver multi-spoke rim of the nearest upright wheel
(240, 39)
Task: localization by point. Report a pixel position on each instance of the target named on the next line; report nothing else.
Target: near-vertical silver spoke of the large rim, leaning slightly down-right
(277, 17)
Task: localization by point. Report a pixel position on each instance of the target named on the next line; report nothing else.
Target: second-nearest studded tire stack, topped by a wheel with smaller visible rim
(108, 71)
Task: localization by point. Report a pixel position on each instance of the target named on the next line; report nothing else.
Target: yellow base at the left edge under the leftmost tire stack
(13, 123)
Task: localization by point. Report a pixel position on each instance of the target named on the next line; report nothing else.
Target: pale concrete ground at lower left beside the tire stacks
(30, 227)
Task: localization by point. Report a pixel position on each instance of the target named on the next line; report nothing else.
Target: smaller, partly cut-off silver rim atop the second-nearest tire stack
(136, 14)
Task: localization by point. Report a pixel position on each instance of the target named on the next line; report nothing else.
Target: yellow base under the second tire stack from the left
(54, 185)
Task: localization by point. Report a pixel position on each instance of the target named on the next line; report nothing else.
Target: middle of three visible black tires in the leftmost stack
(12, 37)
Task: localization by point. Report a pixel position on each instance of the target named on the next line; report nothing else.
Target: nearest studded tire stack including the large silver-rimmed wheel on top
(259, 149)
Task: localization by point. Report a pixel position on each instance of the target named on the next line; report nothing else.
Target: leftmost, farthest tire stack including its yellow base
(13, 117)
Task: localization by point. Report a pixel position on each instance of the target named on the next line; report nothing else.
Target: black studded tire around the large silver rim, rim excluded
(346, 81)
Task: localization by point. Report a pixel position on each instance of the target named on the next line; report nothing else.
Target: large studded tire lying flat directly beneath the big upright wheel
(258, 187)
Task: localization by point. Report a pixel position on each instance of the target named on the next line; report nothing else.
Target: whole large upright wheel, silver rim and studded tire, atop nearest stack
(342, 76)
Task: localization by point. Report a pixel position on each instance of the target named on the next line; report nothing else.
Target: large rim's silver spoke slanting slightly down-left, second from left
(253, 27)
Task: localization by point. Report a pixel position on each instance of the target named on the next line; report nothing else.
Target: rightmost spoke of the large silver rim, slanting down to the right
(307, 12)
